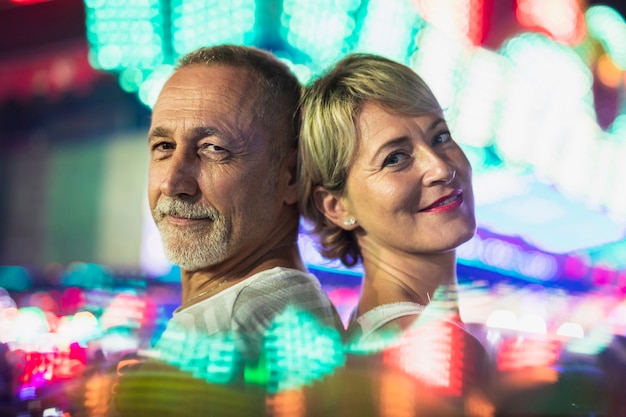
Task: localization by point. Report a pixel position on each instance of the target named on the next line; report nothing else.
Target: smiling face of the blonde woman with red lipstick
(409, 186)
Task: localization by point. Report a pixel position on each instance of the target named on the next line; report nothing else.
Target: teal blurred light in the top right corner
(608, 26)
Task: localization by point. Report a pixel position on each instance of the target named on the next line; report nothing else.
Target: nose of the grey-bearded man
(180, 176)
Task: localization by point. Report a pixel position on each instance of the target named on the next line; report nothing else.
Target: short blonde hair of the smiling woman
(328, 139)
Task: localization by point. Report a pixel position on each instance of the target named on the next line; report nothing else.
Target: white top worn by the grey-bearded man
(230, 327)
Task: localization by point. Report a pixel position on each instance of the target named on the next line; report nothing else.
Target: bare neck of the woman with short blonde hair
(392, 276)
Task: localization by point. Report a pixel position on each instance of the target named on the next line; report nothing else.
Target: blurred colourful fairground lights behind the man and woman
(533, 91)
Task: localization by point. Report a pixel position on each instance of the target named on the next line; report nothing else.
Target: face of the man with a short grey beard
(212, 186)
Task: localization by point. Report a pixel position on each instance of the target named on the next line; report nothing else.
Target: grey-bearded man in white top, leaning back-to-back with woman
(223, 193)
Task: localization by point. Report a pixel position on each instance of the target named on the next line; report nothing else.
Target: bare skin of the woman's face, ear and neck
(403, 165)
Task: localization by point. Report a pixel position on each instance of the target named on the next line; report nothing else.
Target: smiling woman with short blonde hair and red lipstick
(384, 183)
